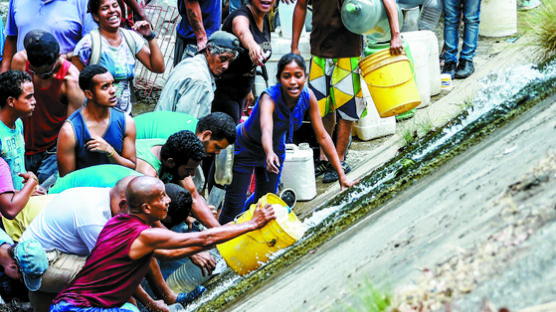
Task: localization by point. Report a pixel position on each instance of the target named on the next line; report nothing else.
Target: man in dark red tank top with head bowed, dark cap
(57, 93)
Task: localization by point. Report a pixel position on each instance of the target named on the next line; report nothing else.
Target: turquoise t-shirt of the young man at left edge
(12, 149)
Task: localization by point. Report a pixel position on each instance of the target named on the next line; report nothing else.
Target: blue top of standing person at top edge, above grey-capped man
(211, 13)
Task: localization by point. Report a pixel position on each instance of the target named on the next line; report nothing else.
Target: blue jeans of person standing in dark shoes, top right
(452, 11)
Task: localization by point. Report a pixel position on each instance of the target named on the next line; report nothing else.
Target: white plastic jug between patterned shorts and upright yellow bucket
(372, 126)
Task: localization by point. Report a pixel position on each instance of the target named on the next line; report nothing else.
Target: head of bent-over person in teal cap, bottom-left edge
(26, 259)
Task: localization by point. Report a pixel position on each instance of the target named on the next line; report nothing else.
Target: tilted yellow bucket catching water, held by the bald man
(249, 251)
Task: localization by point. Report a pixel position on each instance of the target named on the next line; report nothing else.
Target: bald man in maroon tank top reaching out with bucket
(125, 246)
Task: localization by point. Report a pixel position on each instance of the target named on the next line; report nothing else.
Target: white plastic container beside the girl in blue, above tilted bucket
(299, 171)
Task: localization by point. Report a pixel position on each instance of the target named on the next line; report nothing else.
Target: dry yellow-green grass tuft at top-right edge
(541, 22)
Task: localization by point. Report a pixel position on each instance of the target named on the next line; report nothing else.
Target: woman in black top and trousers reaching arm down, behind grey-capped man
(250, 24)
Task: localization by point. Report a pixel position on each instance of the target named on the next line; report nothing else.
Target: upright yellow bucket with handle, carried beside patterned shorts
(391, 82)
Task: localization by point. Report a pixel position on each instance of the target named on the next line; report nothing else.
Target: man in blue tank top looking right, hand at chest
(97, 133)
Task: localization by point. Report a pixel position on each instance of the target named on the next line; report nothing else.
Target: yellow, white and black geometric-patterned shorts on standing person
(336, 84)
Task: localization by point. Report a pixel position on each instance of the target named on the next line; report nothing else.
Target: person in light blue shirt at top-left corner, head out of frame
(68, 21)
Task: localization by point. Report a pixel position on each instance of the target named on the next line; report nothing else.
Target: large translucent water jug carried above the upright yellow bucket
(368, 17)
